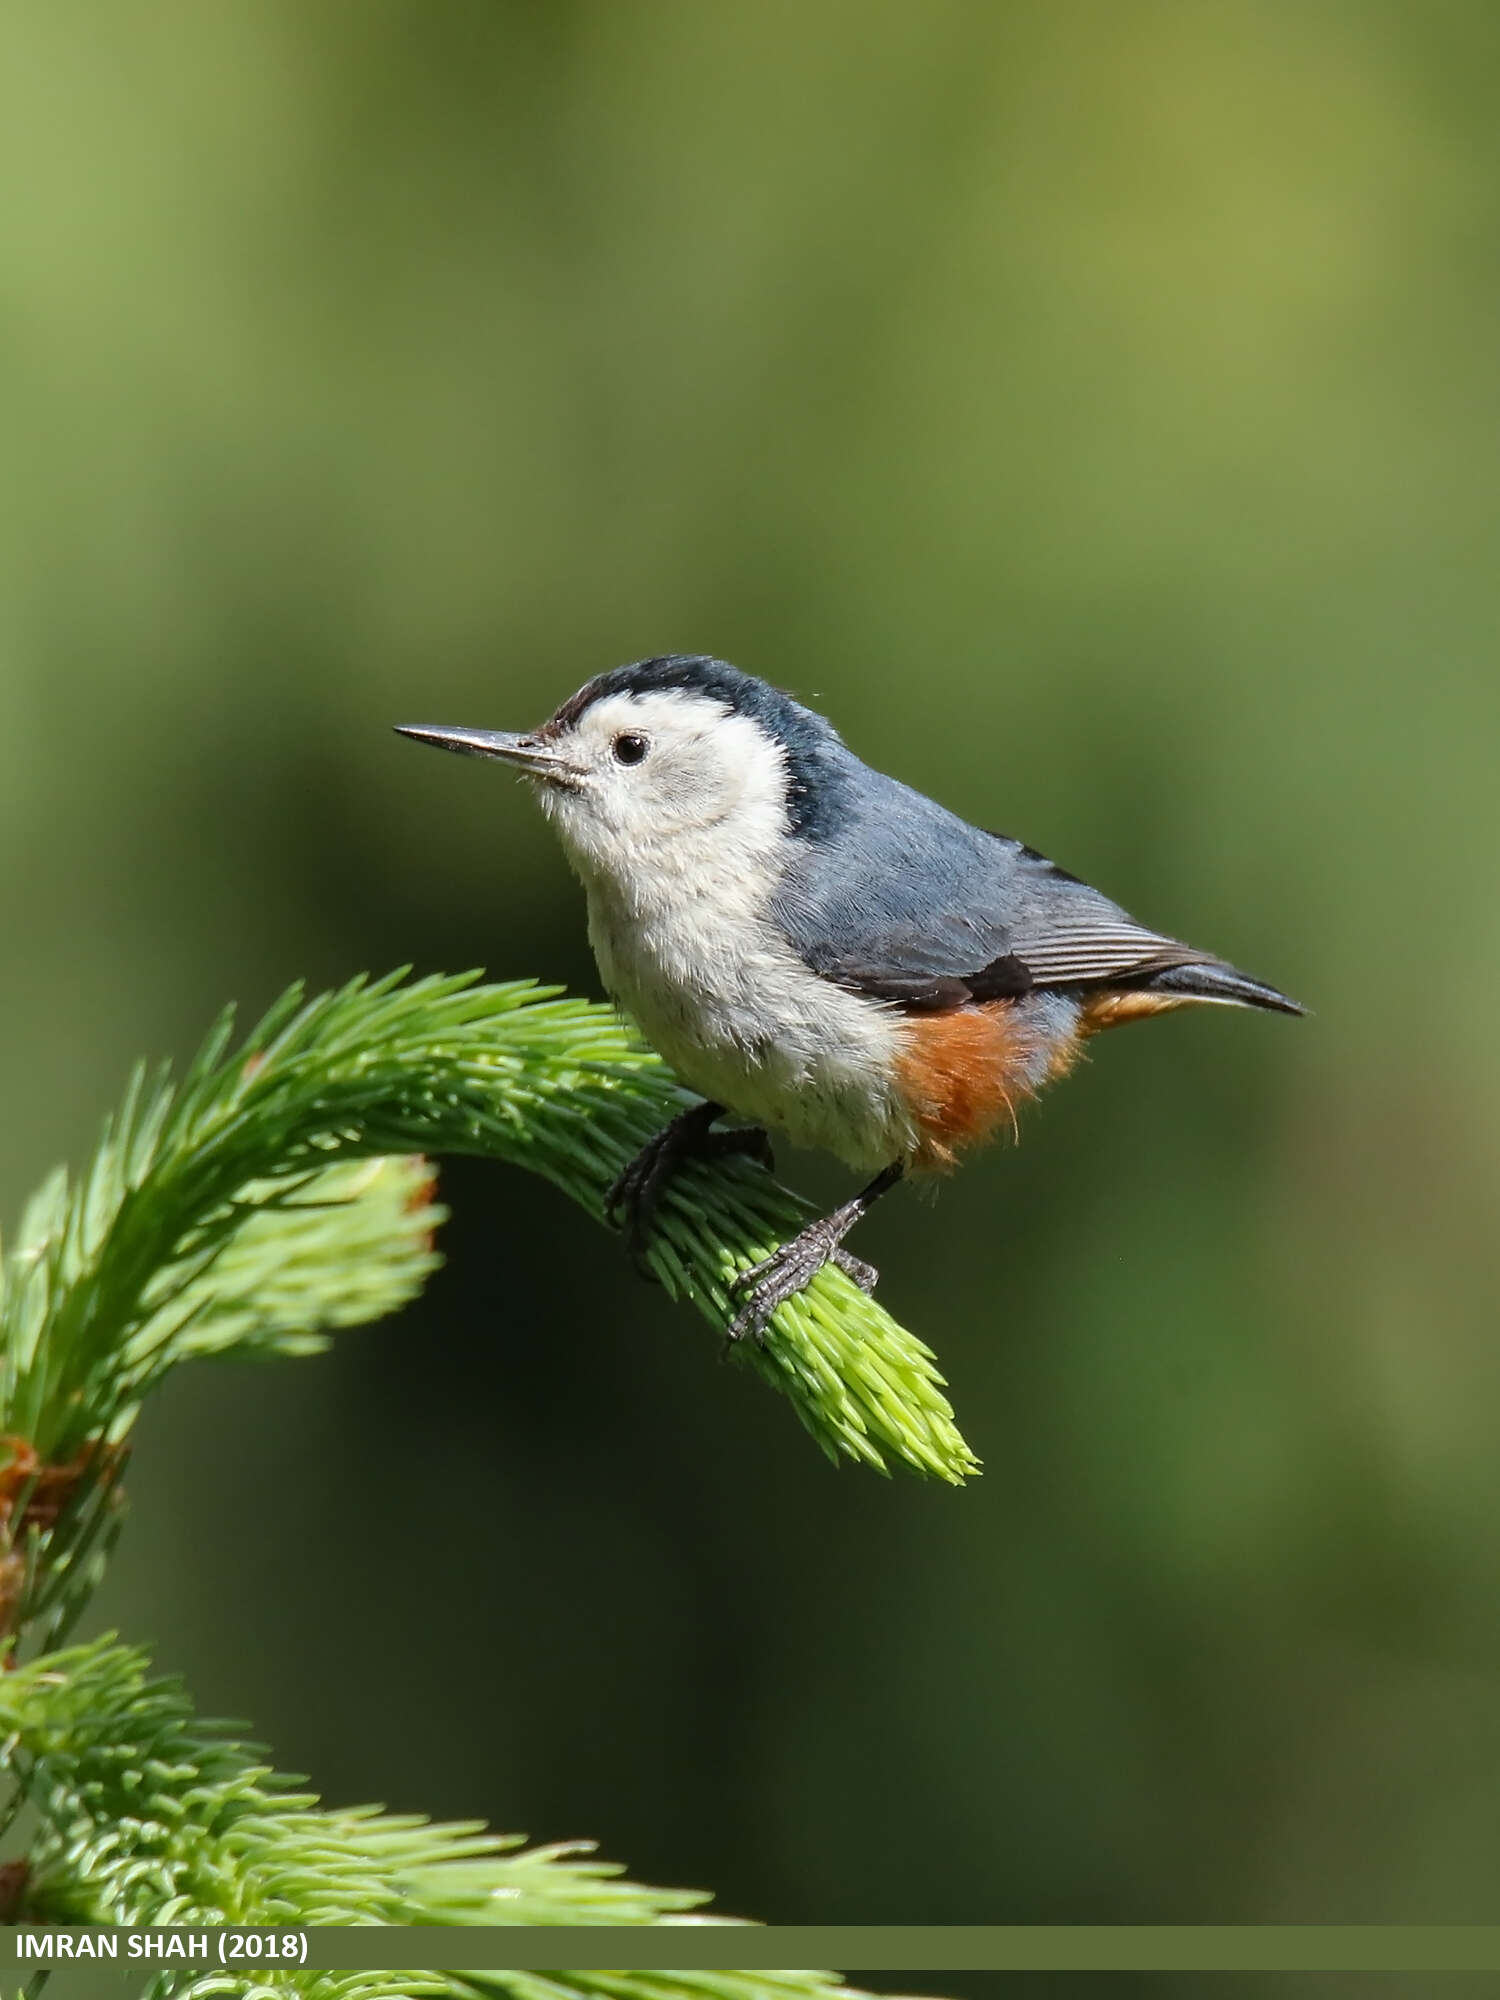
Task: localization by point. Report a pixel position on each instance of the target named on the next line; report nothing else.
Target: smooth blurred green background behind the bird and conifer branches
(1093, 409)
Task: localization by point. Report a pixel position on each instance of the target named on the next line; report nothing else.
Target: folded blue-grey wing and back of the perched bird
(907, 903)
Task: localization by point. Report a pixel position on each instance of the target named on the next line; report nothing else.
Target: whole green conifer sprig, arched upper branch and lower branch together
(275, 1195)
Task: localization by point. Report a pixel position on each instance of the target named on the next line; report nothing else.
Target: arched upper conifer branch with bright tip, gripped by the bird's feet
(209, 1223)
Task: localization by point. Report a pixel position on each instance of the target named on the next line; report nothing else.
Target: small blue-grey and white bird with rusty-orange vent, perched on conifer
(819, 949)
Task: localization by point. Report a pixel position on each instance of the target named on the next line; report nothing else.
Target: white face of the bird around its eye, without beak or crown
(663, 785)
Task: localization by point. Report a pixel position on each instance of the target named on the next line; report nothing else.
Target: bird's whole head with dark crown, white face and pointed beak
(671, 765)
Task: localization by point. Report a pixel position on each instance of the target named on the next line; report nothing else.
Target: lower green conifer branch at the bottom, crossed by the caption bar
(151, 1815)
